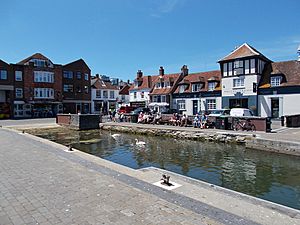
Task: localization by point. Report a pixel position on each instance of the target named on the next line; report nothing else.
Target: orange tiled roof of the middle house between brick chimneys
(166, 90)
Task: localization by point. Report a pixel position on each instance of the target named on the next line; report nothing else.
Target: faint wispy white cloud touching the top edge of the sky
(165, 7)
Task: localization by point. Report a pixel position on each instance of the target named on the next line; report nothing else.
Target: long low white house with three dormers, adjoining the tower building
(198, 92)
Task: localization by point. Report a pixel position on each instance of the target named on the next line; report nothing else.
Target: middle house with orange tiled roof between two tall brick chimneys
(163, 87)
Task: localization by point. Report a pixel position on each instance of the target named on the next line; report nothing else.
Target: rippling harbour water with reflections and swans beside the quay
(270, 176)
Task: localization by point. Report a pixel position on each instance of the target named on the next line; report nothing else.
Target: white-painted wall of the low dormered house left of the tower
(189, 104)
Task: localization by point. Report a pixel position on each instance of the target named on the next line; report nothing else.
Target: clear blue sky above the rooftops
(118, 37)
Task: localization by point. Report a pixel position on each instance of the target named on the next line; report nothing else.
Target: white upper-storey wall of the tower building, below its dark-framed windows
(229, 90)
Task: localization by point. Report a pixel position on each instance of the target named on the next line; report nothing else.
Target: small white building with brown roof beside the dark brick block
(104, 96)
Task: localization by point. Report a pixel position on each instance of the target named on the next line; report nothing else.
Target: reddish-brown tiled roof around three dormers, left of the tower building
(202, 77)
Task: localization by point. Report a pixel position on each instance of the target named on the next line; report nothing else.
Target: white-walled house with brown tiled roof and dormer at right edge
(279, 89)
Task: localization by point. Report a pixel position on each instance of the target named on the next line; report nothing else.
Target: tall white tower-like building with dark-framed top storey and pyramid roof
(241, 71)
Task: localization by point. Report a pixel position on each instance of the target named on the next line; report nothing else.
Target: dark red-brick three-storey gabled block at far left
(37, 87)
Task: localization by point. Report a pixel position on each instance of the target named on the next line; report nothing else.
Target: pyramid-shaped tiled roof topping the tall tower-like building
(243, 51)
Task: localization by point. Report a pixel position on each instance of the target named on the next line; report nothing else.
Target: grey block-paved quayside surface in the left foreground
(38, 186)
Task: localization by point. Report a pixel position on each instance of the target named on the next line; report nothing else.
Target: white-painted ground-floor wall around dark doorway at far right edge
(288, 104)
